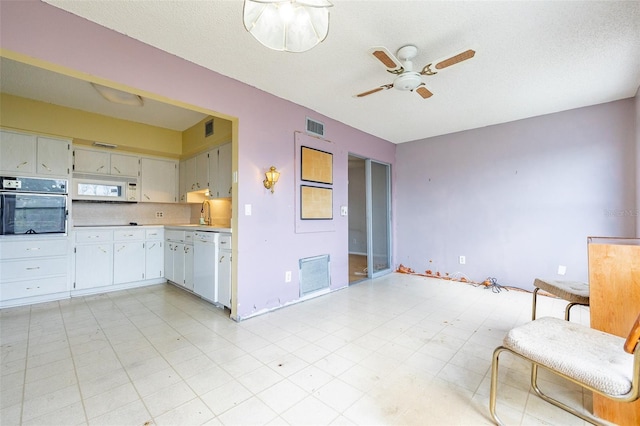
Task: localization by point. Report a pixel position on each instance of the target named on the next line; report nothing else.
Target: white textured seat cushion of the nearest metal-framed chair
(589, 356)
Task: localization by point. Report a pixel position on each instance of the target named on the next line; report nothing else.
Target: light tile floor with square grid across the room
(398, 350)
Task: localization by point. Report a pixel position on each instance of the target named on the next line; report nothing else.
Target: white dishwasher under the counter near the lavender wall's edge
(205, 258)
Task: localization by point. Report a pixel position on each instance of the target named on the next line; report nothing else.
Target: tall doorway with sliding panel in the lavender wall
(369, 218)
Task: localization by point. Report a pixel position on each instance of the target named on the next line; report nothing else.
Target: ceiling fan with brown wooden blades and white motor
(402, 66)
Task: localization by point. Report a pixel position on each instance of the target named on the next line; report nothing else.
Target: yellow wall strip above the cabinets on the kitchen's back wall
(85, 128)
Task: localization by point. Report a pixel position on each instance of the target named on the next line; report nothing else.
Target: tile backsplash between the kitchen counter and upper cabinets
(96, 213)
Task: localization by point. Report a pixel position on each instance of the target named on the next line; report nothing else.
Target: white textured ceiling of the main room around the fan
(533, 57)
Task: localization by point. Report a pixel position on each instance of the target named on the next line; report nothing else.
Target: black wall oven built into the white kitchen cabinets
(33, 206)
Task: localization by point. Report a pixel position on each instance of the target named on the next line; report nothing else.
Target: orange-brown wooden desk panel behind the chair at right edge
(614, 281)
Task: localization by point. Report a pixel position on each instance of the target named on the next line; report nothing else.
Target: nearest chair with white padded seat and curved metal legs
(600, 362)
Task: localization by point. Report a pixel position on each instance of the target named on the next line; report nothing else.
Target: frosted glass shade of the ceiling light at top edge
(287, 25)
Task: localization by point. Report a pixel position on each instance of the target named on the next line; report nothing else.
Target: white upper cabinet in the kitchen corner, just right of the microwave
(159, 180)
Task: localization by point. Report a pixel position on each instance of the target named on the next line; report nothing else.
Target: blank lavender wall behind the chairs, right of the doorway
(518, 199)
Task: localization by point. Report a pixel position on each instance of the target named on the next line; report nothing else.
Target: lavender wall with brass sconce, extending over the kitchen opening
(267, 245)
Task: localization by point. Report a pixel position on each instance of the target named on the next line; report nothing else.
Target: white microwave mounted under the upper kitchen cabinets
(111, 189)
